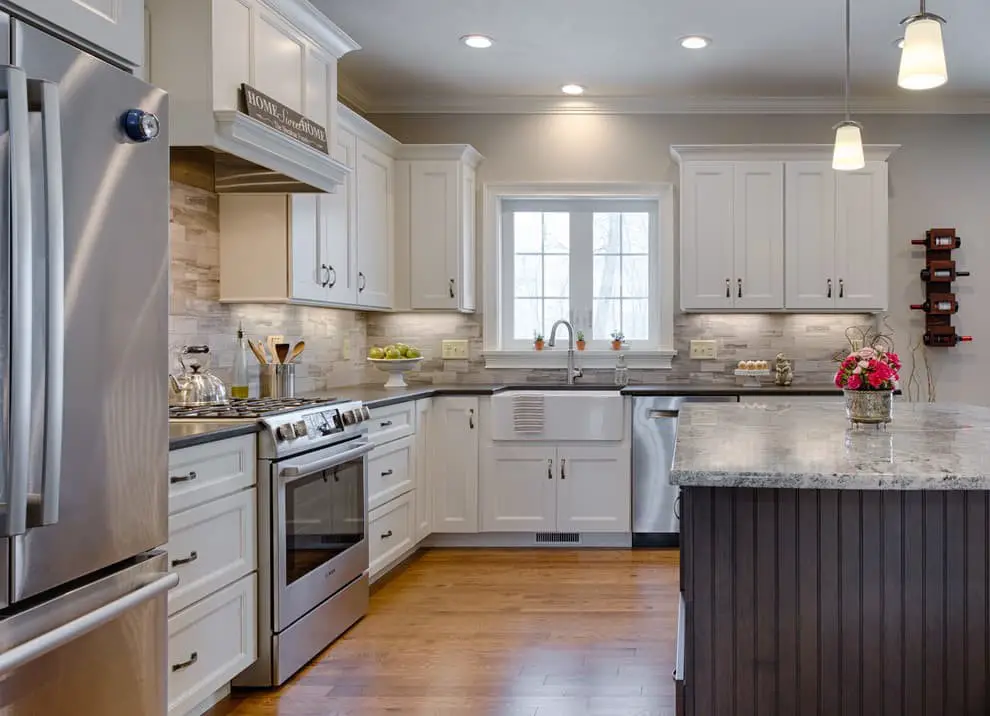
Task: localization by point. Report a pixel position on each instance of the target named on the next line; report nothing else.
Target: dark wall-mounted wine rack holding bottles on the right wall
(939, 273)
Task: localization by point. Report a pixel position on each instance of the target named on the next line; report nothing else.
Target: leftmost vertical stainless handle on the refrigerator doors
(13, 88)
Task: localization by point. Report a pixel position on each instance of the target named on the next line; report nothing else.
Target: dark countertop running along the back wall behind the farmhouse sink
(376, 396)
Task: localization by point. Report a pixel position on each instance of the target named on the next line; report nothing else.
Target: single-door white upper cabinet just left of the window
(435, 227)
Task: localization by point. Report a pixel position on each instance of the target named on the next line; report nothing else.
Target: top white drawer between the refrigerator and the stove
(202, 473)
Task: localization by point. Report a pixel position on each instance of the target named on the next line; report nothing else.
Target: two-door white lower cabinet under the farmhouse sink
(550, 488)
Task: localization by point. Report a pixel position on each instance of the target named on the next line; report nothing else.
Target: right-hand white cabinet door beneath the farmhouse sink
(594, 490)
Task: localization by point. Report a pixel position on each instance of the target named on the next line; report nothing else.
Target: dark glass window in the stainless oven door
(324, 516)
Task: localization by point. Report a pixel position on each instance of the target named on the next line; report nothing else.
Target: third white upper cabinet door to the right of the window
(810, 235)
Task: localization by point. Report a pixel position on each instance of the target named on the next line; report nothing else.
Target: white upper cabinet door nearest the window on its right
(706, 236)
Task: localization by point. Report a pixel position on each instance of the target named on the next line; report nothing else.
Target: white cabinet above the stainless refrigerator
(111, 27)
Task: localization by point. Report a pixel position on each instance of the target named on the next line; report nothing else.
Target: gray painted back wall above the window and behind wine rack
(939, 177)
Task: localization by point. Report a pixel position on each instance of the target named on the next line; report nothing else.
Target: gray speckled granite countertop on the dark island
(812, 446)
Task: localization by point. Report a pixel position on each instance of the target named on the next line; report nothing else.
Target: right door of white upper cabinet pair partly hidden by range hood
(338, 231)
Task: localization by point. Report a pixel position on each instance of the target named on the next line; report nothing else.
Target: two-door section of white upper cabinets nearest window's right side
(732, 227)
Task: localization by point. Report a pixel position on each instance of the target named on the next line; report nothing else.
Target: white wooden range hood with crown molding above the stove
(202, 51)
